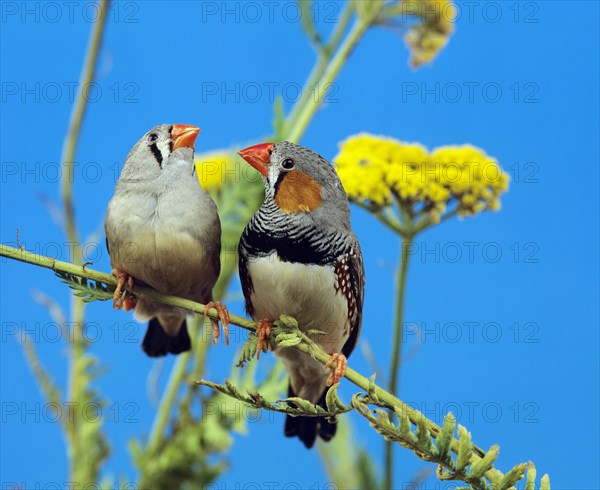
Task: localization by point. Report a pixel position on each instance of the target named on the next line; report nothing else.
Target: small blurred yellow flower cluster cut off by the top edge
(426, 39)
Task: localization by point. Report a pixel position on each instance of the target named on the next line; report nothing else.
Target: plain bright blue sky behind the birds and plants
(525, 375)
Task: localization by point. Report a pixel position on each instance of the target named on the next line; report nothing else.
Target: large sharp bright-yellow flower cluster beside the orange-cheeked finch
(377, 171)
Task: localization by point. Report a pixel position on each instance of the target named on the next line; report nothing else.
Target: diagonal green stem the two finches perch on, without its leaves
(308, 346)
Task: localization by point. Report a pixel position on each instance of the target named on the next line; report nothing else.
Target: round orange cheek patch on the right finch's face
(298, 192)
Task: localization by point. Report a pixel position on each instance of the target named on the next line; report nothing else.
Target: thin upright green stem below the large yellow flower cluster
(397, 346)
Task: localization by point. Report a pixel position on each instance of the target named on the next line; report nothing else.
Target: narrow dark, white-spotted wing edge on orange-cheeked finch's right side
(356, 297)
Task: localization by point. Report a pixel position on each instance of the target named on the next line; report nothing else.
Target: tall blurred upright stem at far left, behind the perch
(80, 468)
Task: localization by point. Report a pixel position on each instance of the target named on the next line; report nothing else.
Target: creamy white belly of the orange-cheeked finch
(305, 292)
